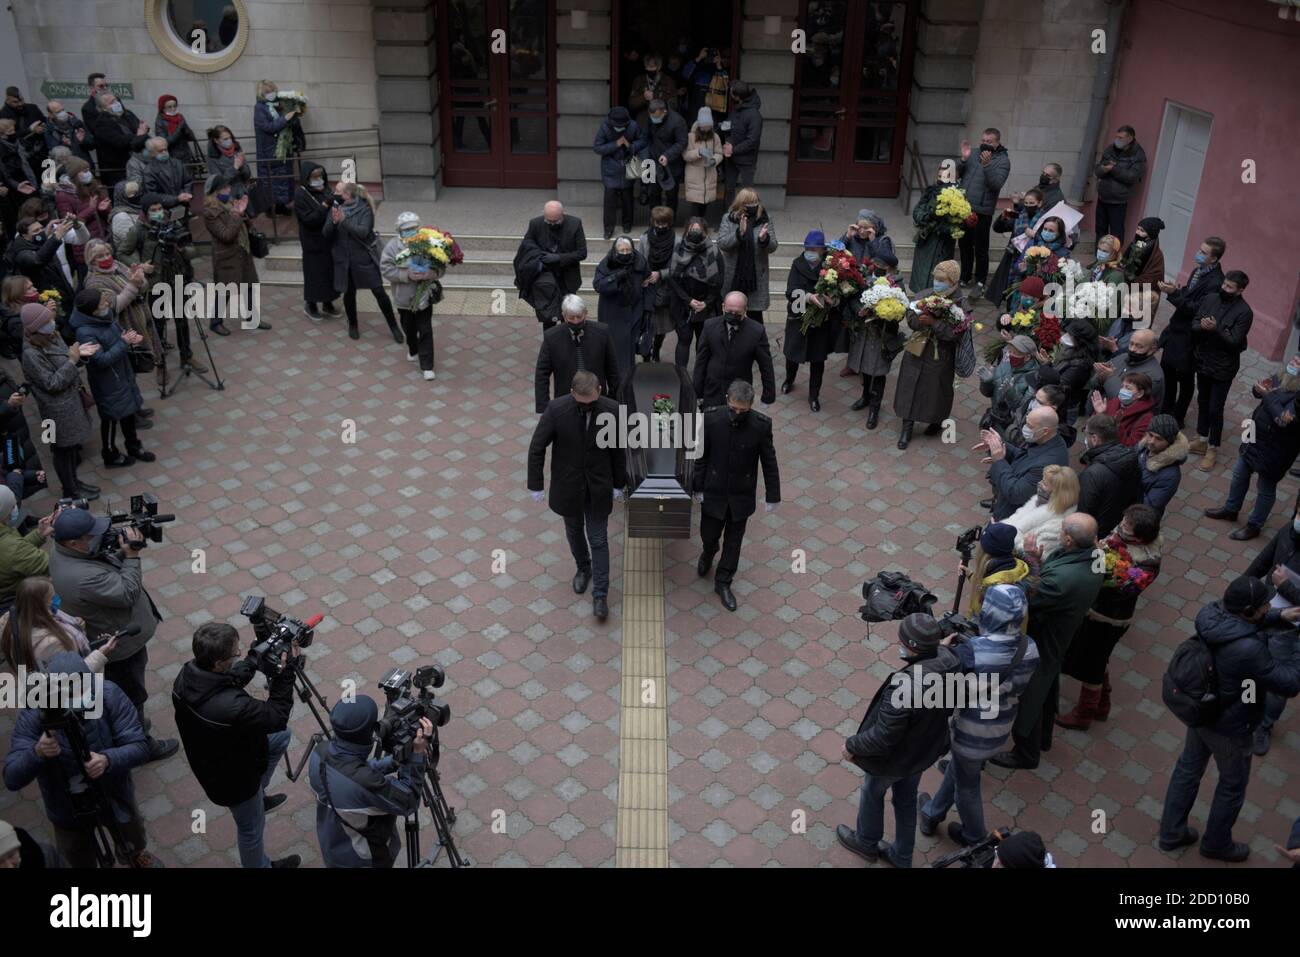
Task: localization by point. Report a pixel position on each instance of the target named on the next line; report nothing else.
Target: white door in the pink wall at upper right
(1181, 158)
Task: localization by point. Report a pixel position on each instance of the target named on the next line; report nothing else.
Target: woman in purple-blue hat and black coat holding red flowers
(814, 295)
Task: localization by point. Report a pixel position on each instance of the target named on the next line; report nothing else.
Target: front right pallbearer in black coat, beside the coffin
(736, 440)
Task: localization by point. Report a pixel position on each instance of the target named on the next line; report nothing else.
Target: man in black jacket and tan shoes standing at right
(1219, 339)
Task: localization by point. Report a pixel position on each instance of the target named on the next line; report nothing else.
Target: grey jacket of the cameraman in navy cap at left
(109, 594)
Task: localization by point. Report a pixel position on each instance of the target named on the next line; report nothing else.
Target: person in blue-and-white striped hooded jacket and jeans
(1007, 660)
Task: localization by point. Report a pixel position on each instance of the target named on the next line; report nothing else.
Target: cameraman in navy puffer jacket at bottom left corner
(83, 798)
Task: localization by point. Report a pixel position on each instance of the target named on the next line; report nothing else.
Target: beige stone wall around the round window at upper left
(323, 47)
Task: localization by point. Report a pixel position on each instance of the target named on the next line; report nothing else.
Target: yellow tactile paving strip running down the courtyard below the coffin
(642, 837)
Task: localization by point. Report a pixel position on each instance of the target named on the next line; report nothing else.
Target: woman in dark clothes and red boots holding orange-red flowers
(1133, 562)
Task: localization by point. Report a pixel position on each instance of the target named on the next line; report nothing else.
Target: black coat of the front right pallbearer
(727, 470)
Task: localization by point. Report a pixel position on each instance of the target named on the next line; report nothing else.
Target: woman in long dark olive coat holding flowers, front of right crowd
(925, 391)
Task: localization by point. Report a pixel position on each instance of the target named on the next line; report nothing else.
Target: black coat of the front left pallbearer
(579, 466)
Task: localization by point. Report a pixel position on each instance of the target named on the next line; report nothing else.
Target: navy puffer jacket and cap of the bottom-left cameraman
(116, 735)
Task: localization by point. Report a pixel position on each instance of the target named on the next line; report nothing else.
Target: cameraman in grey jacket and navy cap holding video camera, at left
(105, 586)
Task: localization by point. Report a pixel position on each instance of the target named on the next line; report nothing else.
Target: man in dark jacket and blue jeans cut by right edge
(1269, 452)
